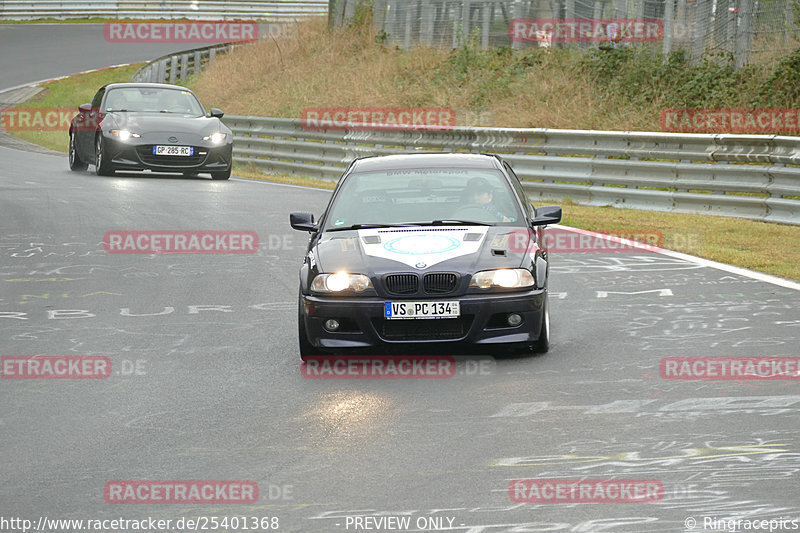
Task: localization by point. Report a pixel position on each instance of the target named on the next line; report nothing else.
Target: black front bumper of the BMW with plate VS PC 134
(482, 321)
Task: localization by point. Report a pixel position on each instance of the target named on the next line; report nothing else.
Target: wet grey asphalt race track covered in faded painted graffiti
(206, 382)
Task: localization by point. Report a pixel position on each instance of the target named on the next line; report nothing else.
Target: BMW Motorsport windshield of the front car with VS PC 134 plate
(423, 196)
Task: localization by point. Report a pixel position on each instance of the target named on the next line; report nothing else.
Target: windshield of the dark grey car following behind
(152, 100)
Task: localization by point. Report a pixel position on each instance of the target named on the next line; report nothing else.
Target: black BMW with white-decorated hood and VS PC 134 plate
(426, 248)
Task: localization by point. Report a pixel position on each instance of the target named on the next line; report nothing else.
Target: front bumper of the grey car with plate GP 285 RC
(139, 156)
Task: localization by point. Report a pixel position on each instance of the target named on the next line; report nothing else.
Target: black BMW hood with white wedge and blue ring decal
(463, 249)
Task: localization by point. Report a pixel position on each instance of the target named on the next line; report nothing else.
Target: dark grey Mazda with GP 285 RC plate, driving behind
(149, 126)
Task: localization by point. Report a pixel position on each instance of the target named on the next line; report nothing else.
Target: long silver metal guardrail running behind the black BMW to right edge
(747, 176)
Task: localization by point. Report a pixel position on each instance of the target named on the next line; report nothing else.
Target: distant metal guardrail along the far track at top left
(263, 10)
